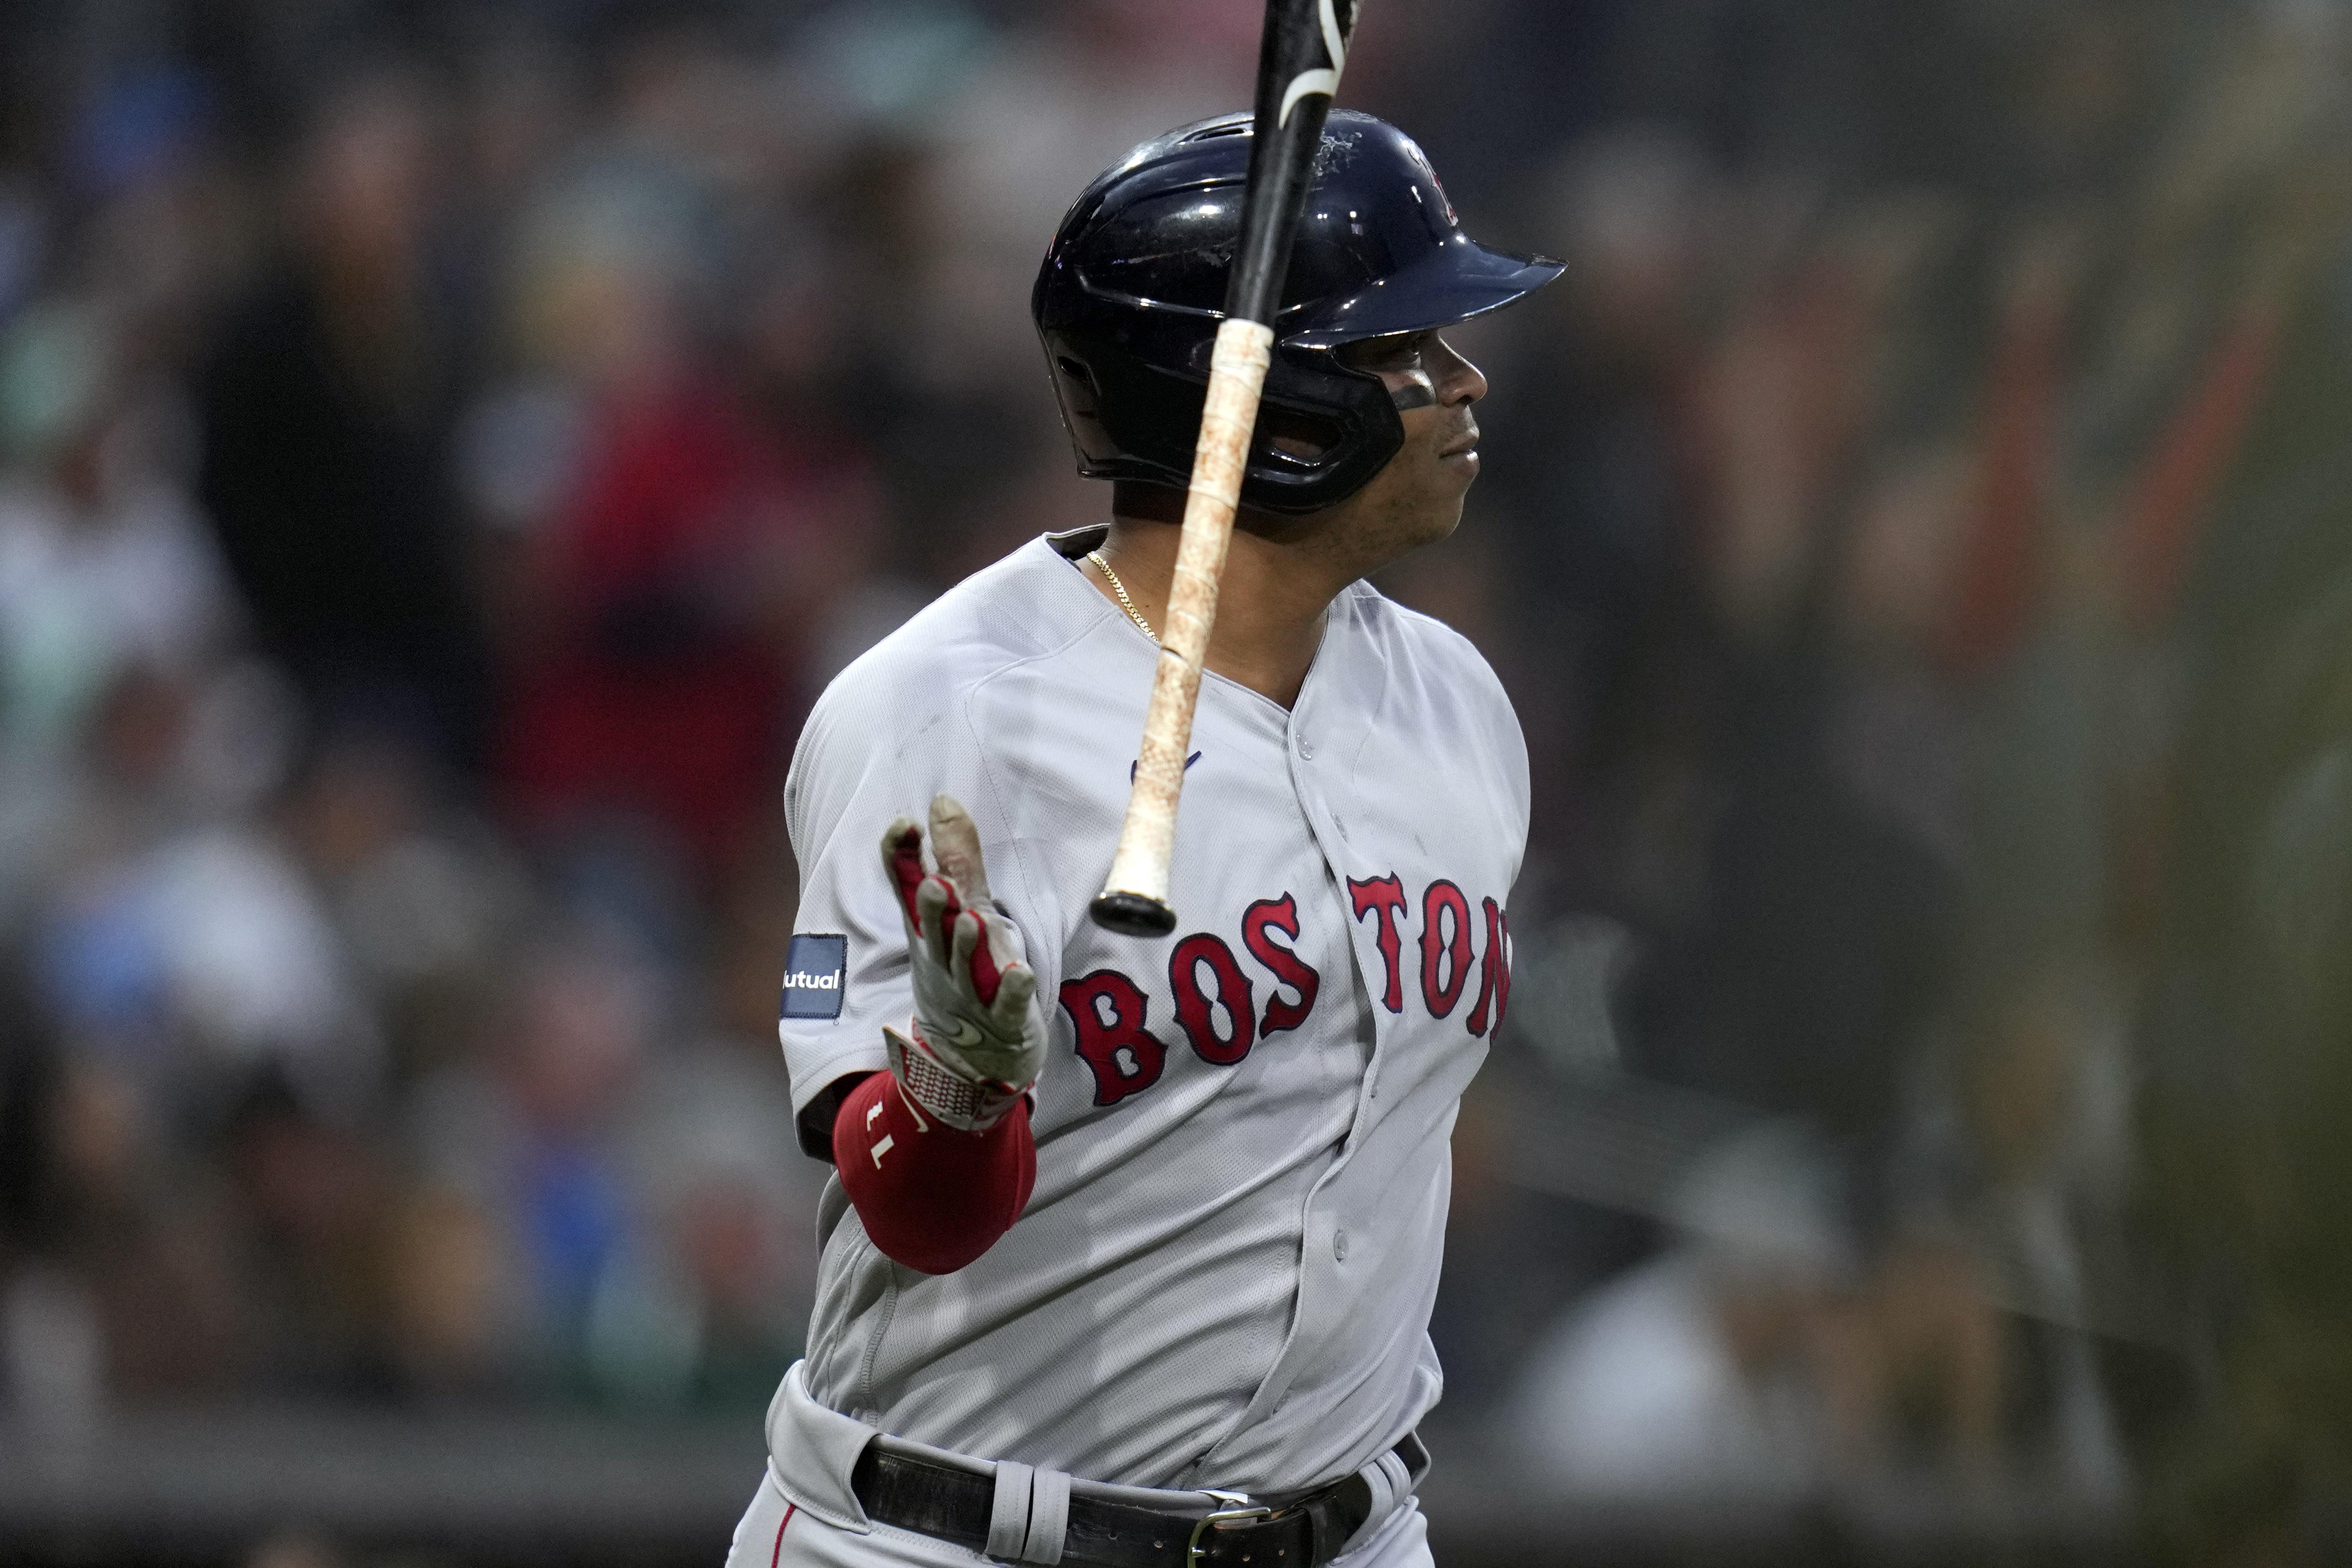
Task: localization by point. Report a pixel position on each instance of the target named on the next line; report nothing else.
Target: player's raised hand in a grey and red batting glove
(980, 1036)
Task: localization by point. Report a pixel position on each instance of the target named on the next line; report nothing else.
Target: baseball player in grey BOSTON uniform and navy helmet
(1132, 1245)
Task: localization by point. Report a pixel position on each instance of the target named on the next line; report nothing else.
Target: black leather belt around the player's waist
(1297, 1532)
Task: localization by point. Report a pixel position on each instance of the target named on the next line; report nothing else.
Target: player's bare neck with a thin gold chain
(1269, 605)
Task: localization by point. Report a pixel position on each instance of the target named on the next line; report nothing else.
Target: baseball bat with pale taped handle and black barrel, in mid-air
(1307, 43)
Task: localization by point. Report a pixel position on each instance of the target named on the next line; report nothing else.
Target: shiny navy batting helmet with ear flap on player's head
(1135, 286)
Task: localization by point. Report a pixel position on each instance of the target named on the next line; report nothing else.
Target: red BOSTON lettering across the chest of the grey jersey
(1111, 1012)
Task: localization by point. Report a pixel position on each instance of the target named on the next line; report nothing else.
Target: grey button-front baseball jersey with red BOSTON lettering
(1227, 1268)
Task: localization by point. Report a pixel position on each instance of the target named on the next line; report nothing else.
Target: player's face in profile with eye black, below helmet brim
(1419, 495)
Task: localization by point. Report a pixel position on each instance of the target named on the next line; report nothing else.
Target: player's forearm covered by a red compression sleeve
(933, 1198)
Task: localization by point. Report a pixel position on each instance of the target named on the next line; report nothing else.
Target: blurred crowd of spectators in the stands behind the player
(448, 448)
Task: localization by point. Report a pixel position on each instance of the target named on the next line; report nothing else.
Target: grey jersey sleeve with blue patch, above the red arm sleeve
(876, 749)
